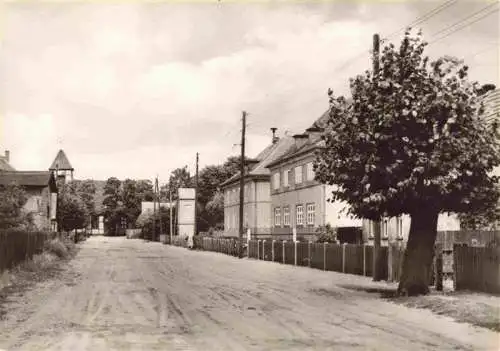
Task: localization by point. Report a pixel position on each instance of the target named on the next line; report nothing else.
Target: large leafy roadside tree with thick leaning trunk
(411, 140)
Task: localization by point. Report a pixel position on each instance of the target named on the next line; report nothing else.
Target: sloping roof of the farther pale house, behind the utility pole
(266, 156)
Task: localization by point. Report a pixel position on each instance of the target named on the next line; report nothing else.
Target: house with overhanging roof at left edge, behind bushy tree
(41, 190)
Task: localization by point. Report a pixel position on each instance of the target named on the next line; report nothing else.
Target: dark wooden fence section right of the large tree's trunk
(477, 268)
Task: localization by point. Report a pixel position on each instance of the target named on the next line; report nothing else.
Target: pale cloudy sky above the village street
(134, 90)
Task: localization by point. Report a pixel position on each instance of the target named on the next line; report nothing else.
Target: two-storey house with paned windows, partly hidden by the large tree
(298, 200)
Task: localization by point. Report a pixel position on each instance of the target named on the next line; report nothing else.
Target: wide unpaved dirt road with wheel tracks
(120, 294)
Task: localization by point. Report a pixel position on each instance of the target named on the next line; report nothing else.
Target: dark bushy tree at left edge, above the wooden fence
(12, 200)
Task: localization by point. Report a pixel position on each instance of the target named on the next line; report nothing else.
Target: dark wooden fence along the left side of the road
(18, 246)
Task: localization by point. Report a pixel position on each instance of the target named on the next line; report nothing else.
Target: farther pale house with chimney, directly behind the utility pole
(257, 199)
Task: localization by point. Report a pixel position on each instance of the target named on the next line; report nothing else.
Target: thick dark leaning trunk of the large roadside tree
(419, 253)
